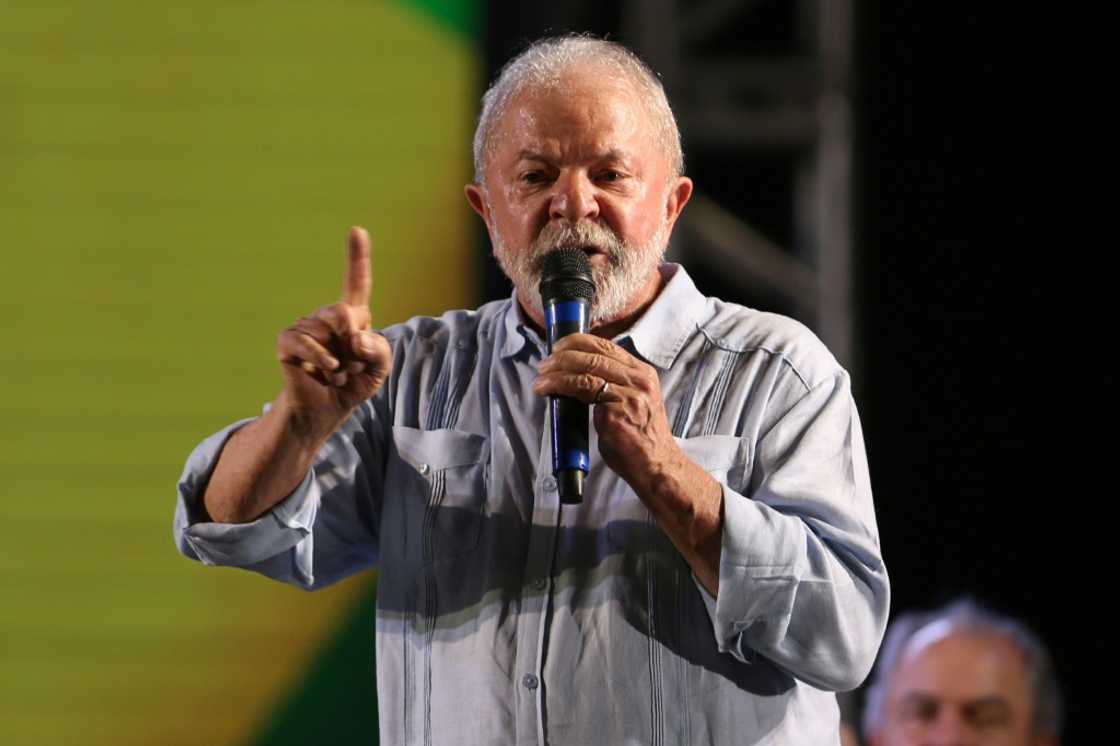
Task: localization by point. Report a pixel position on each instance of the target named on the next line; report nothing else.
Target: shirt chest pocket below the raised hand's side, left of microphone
(446, 482)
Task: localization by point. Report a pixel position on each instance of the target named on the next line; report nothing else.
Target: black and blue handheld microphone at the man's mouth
(567, 292)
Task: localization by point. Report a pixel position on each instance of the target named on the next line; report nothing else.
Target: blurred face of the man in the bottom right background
(963, 689)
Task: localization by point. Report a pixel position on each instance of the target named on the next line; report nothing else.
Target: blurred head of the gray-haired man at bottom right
(963, 676)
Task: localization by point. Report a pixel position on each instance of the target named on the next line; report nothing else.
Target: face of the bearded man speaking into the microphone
(578, 164)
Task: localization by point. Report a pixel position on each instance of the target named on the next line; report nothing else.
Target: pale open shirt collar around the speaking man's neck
(658, 337)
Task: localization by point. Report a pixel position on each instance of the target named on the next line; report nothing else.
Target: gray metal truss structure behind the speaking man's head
(739, 99)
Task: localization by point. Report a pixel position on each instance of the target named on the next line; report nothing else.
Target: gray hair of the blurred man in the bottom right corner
(969, 617)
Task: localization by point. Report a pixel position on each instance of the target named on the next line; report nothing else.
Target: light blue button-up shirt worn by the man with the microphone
(506, 619)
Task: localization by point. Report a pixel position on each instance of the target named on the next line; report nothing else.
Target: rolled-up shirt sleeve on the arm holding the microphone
(801, 576)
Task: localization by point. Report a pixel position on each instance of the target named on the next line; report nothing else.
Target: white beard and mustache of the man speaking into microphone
(617, 284)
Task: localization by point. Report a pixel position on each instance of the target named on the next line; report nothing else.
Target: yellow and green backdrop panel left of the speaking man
(176, 184)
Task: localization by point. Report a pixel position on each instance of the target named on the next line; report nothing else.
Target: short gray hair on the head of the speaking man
(543, 66)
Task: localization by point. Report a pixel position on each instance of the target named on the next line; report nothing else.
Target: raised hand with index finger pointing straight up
(332, 362)
